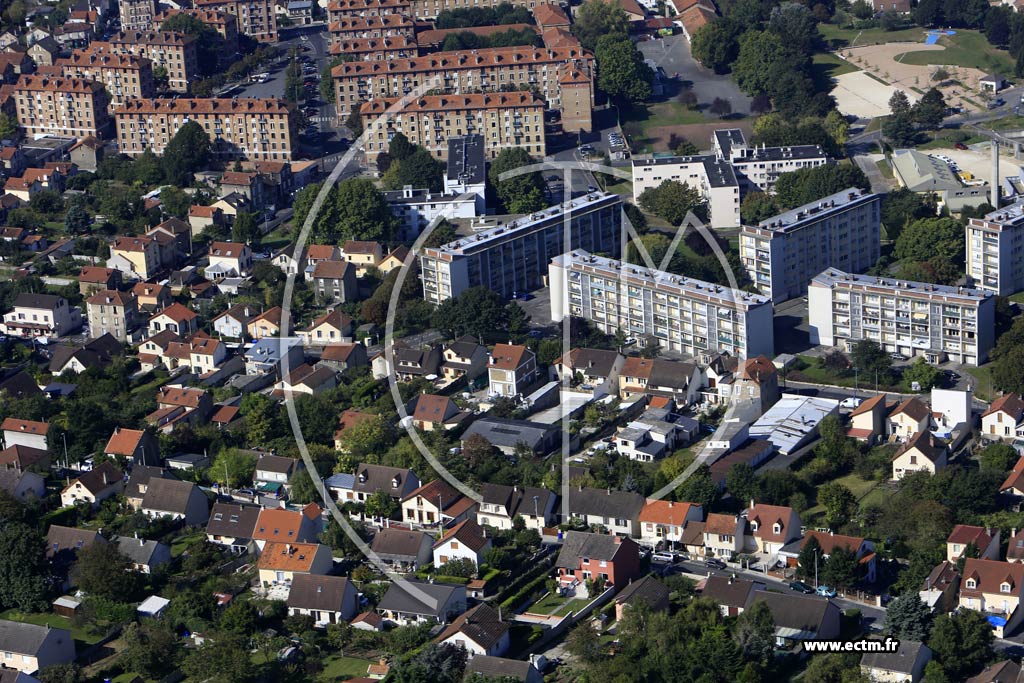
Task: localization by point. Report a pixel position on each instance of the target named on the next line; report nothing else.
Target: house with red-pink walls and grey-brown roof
(586, 558)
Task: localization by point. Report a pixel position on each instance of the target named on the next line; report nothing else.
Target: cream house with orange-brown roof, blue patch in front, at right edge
(994, 589)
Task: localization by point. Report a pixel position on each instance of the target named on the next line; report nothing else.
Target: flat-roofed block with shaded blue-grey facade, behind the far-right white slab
(784, 253)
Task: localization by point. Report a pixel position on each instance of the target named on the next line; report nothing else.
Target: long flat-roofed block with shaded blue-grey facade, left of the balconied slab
(514, 258)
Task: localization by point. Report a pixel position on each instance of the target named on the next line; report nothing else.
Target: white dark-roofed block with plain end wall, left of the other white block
(714, 178)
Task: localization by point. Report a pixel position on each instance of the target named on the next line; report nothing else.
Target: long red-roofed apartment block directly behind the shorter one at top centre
(461, 72)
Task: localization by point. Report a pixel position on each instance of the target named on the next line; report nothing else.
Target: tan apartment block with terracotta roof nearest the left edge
(66, 107)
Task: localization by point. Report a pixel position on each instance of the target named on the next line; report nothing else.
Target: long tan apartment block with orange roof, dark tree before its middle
(244, 129)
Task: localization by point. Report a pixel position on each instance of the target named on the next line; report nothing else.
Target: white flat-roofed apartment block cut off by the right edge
(996, 250)
